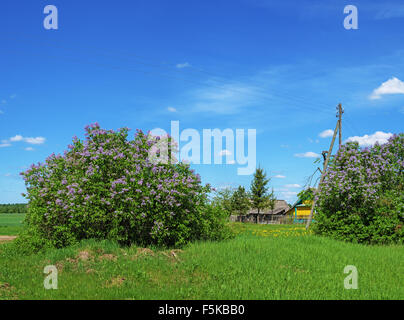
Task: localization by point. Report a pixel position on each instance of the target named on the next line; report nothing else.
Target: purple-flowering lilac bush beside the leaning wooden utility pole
(362, 196)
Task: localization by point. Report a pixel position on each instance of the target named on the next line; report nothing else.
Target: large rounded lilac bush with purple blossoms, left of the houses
(106, 187)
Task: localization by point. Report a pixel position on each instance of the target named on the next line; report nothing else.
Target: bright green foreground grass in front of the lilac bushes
(262, 262)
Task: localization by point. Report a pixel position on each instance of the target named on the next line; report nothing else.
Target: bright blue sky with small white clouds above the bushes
(279, 67)
